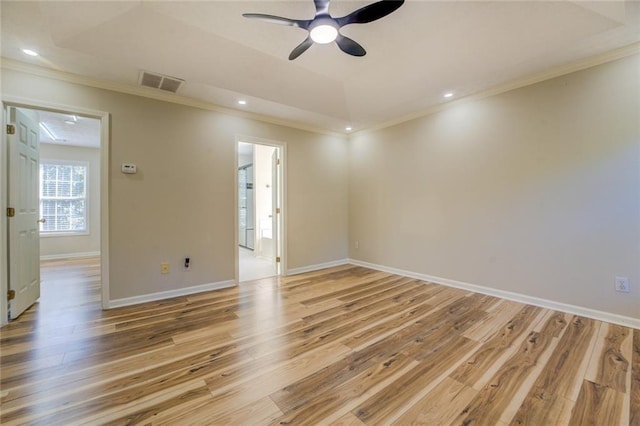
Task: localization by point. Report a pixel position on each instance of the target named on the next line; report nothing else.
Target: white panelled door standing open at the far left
(23, 227)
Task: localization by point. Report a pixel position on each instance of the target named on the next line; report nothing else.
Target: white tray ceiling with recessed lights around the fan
(414, 55)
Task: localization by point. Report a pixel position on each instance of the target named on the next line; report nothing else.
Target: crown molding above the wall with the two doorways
(22, 67)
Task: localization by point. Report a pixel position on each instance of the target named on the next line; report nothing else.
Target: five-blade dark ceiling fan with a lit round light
(324, 28)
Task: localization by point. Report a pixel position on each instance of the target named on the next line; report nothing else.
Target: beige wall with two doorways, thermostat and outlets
(181, 202)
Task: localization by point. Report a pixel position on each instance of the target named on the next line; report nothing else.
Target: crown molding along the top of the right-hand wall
(529, 80)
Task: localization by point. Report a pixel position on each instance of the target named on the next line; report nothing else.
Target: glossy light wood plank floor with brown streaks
(344, 346)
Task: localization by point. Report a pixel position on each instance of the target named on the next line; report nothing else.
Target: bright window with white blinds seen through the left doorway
(63, 197)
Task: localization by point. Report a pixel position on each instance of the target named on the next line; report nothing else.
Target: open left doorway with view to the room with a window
(64, 180)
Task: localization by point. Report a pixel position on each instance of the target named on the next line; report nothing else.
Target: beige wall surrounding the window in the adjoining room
(56, 246)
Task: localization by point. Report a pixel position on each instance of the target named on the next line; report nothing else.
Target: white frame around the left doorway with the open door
(11, 101)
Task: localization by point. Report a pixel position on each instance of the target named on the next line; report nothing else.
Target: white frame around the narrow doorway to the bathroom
(282, 189)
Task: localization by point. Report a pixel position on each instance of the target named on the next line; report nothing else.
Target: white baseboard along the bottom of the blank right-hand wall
(516, 297)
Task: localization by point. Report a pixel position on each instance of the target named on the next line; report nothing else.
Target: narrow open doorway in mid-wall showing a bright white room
(259, 211)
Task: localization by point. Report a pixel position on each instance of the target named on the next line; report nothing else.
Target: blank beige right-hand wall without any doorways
(535, 191)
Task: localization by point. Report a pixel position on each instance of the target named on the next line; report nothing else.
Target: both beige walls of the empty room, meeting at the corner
(535, 191)
